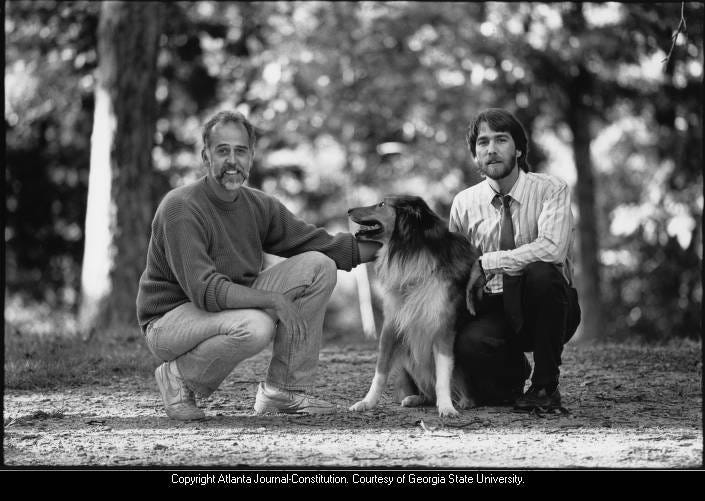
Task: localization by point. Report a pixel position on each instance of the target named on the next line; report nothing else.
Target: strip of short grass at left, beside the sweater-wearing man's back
(42, 360)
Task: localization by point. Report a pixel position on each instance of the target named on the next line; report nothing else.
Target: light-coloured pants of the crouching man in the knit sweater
(208, 346)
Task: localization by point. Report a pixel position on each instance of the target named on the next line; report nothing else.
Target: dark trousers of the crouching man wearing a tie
(490, 350)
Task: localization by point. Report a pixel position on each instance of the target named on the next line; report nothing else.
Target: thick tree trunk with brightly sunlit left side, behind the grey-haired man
(119, 204)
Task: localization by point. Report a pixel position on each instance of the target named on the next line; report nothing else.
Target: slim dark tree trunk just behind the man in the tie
(589, 283)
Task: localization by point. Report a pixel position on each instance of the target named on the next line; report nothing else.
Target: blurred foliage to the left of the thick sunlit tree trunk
(50, 52)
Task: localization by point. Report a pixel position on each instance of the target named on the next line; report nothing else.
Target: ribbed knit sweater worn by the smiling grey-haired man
(201, 245)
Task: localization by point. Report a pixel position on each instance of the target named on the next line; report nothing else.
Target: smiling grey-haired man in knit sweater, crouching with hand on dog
(204, 302)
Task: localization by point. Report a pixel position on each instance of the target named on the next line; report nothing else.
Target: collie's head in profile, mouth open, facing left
(401, 216)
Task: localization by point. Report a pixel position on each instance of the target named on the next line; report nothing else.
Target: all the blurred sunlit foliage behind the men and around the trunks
(354, 100)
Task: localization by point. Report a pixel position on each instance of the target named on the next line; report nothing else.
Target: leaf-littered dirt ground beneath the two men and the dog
(629, 407)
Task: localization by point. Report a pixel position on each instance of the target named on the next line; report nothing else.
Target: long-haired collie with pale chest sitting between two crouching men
(431, 279)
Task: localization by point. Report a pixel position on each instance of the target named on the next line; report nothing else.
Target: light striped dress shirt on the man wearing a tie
(542, 219)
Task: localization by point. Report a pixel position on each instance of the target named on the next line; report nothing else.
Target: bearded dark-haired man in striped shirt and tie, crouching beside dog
(523, 225)
